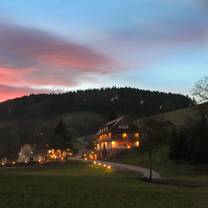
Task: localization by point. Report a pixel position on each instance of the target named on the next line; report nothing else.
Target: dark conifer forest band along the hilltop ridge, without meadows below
(131, 101)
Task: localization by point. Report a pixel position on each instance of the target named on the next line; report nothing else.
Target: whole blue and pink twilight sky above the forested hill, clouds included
(62, 45)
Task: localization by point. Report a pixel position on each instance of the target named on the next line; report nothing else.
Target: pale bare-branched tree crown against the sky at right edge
(201, 89)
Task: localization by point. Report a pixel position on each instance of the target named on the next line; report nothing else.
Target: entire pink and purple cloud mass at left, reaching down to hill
(32, 58)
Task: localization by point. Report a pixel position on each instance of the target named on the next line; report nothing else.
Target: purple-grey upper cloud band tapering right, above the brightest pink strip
(29, 47)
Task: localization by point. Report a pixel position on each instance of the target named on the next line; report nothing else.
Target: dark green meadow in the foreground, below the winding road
(83, 185)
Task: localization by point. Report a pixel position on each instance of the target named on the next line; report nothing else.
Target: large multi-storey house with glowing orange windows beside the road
(116, 136)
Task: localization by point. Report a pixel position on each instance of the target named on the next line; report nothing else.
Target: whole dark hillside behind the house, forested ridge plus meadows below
(32, 119)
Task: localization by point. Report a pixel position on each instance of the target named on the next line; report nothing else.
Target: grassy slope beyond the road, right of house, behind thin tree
(165, 166)
